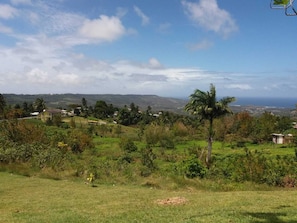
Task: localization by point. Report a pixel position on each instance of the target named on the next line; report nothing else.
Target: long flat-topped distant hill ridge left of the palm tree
(157, 103)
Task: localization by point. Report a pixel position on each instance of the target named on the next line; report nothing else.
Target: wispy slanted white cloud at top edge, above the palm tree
(207, 14)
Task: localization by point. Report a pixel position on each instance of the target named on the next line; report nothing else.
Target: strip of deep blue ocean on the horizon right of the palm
(267, 102)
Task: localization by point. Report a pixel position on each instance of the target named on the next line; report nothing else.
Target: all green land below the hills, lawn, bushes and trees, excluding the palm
(143, 166)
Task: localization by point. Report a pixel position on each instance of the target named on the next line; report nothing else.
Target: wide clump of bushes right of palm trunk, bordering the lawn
(255, 167)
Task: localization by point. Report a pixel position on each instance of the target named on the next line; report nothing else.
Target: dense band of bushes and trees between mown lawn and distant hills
(125, 144)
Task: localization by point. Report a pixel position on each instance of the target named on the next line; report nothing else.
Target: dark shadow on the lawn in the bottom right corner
(267, 217)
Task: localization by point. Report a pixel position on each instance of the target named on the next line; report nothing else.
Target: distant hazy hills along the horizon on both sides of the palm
(157, 103)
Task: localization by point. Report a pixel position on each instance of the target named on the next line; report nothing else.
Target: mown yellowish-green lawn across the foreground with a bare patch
(30, 199)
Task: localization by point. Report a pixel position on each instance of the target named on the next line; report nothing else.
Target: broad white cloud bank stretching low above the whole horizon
(45, 69)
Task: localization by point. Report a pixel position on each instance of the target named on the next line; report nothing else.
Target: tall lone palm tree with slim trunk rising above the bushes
(206, 107)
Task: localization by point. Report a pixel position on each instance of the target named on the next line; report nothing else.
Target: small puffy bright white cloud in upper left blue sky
(104, 29)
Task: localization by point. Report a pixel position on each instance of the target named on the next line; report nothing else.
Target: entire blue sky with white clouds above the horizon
(167, 48)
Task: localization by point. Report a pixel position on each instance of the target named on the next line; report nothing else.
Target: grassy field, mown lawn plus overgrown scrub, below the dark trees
(138, 183)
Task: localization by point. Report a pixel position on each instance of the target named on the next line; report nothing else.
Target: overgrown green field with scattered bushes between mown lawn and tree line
(154, 154)
